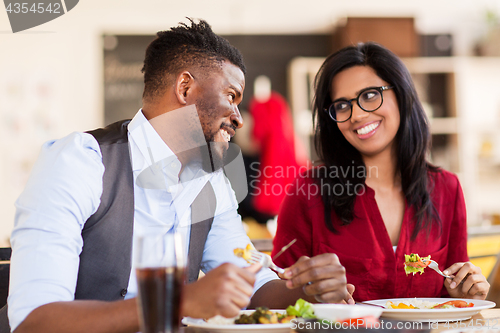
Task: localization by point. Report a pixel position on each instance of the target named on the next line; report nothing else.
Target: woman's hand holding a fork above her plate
(468, 281)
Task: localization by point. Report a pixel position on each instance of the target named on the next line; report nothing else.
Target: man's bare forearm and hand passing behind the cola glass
(223, 291)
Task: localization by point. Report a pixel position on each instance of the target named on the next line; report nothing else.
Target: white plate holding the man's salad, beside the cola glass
(240, 328)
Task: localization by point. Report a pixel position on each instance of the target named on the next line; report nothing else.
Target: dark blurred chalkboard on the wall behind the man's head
(263, 54)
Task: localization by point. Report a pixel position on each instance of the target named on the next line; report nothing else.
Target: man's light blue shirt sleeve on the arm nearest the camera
(63, 190)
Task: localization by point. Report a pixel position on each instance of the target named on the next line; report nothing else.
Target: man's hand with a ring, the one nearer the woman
(322, 277)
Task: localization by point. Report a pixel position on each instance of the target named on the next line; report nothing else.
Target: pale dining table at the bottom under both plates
(488, 319)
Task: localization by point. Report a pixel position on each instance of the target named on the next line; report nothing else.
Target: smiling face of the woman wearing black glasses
(371, 133)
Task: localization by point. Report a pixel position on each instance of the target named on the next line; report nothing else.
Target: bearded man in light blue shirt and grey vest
(71, 267)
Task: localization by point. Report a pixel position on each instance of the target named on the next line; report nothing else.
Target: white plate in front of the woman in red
(432, 314)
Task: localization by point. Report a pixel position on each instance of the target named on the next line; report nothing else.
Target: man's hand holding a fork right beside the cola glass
(223, 291)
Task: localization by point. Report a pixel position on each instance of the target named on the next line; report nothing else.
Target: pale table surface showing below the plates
(487, 319)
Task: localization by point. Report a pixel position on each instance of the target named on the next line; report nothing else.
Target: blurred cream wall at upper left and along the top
(51, 76)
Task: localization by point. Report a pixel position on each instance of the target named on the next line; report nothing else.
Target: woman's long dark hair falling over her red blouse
(412, 139)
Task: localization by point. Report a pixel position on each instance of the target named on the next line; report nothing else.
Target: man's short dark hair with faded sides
(181, 48)
